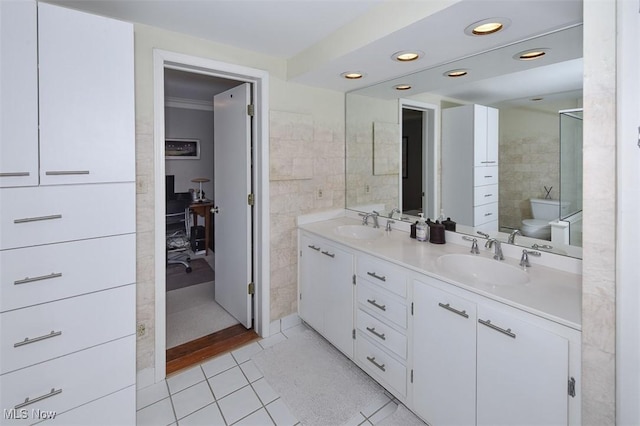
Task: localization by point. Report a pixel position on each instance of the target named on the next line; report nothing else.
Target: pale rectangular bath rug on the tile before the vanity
(317, 382)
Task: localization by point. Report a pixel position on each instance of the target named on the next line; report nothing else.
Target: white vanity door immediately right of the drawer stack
(444, 353)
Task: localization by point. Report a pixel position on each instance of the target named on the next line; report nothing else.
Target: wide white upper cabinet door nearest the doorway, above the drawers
(86, 98)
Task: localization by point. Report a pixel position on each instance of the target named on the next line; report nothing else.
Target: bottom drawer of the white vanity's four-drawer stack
(380, 365)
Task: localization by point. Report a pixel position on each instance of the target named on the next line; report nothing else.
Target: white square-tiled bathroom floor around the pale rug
(230, 390)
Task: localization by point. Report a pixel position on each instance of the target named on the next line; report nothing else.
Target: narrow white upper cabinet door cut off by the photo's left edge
(18, 94)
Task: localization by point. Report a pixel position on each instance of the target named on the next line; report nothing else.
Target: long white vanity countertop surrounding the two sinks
(551, 293)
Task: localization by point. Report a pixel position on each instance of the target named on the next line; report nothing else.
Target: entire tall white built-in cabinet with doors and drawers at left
(67, 216)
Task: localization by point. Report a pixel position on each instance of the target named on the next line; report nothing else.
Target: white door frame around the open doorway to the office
(260, 181)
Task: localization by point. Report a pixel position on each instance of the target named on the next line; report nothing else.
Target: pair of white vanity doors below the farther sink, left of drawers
(326, 290)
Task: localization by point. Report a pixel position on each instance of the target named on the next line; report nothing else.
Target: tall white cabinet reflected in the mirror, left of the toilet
(470, 165)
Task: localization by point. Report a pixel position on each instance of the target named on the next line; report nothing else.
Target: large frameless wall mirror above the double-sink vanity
(400, 160)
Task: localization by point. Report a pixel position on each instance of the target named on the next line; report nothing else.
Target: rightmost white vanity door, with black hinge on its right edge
(522, 372)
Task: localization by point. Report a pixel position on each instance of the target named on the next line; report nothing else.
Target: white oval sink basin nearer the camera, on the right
(481, 269)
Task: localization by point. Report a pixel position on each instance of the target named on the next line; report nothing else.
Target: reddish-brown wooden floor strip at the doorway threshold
(196, 351)
